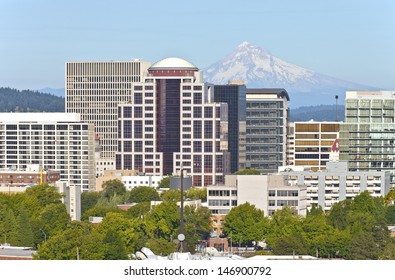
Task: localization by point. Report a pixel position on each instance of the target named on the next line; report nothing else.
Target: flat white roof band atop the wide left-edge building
(39, 117)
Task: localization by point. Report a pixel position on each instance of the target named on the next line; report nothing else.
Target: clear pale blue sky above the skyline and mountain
(352, 40)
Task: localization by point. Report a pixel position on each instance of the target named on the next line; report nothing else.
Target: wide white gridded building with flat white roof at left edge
(55, 141)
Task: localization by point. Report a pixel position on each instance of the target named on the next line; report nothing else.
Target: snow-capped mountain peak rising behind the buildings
(259, 68)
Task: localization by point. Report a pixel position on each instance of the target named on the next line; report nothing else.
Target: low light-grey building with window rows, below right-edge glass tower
(336, 183)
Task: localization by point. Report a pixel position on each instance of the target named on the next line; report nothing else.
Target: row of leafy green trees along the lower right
(352, 229)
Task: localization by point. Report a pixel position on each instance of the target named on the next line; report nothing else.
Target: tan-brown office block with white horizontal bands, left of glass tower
(313, 143)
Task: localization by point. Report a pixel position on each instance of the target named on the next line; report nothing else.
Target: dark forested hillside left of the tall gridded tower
(12, 100)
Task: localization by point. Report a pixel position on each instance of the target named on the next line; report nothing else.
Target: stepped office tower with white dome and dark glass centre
(173, 122)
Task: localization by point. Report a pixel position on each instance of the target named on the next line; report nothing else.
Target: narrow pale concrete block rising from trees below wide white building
(71, 198)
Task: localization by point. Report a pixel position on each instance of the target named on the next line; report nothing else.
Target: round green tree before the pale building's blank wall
(245, 224)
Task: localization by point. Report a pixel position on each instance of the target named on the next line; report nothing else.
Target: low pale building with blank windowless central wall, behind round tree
(267, 192)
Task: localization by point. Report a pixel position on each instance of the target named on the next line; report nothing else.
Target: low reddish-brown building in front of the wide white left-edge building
(15, 181)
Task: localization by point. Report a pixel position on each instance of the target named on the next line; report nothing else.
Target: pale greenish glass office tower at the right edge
(367, 138)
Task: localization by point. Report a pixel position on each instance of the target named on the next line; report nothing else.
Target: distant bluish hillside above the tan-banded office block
(317, 113)
